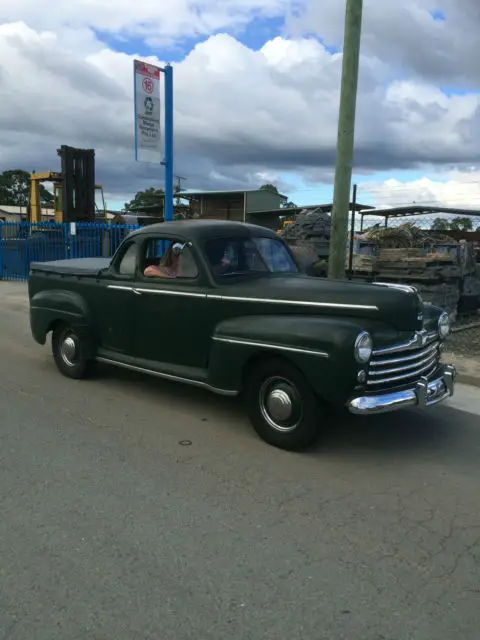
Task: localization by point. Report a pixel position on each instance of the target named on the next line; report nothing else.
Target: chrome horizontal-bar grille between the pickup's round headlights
(397, 366)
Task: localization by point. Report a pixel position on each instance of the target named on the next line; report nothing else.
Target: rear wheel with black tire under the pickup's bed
(70, 353)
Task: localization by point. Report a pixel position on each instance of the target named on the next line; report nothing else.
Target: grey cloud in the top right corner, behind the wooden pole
(407, 36)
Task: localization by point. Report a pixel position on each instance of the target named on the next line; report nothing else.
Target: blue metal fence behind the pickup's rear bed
(22, 243)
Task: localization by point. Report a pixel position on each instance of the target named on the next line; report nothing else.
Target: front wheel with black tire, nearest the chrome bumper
(296, 432)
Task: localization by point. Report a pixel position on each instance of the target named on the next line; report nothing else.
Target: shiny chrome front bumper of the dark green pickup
(425, 393)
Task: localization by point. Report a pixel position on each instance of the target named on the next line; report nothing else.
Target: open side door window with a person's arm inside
(168, 258)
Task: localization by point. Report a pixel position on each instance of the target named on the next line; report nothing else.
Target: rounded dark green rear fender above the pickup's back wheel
(58, 305)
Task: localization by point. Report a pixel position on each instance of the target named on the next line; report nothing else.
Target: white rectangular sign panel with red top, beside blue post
(148, 140)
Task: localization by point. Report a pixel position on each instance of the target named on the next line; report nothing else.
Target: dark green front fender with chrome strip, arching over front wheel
(321, 347)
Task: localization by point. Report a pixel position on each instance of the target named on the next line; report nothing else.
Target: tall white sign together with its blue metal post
(148, 139)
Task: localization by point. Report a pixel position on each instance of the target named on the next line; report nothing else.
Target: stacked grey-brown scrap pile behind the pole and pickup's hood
(443, 270)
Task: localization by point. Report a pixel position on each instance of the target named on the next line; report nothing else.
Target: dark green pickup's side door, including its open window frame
(170, 320)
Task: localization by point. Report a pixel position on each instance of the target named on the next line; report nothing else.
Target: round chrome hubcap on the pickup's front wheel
(280, 404)
